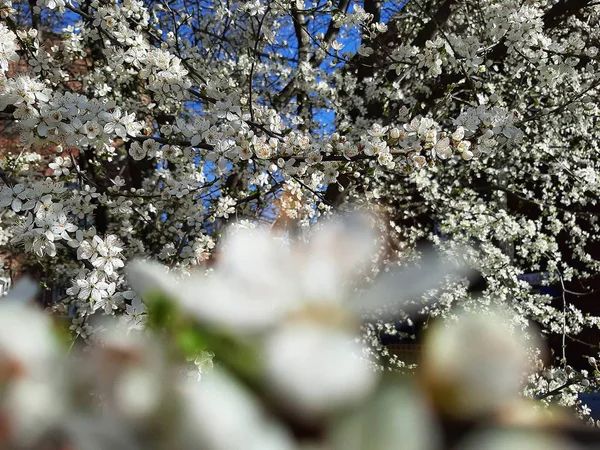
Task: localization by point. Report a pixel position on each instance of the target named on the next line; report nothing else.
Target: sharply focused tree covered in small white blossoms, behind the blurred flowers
(460, 122)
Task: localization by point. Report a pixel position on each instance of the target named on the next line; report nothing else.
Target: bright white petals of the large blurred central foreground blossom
(292, 296)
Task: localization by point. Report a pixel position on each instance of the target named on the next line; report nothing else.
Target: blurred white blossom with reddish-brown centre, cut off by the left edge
(31, 385)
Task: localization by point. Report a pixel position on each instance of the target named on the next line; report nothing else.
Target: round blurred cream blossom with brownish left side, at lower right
(475, 365)
